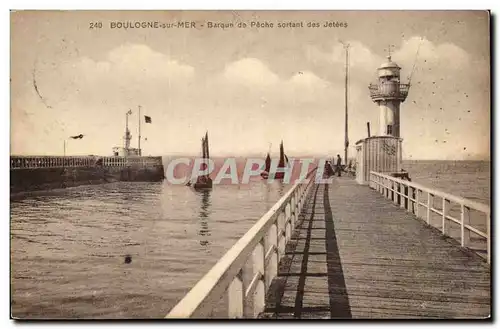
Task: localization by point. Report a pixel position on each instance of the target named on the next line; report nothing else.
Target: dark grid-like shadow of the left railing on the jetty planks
(310, 281)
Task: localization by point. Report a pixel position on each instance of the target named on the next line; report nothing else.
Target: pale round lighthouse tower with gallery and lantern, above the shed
(389, 93)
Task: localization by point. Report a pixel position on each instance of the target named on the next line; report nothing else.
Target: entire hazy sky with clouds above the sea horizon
(248, 87)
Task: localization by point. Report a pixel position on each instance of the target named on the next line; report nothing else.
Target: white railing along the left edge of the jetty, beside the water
(263, 245)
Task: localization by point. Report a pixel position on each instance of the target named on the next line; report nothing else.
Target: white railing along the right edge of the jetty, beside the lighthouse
(450, 210)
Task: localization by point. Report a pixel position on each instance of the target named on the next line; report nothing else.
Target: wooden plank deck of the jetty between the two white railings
(358, 255)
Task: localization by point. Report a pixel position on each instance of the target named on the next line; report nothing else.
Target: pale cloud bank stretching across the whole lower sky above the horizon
(255, 103)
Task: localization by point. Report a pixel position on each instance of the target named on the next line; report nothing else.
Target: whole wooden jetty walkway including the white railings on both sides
(355, 251)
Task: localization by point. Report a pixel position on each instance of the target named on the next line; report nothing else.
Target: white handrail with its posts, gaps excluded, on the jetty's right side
(385, 184)
